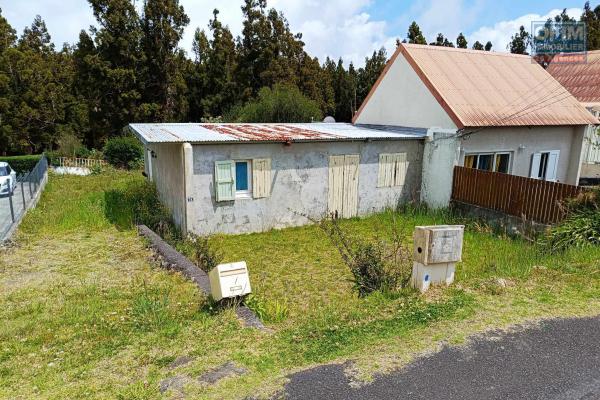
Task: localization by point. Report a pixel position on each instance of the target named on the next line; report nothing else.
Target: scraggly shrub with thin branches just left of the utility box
(379, 265)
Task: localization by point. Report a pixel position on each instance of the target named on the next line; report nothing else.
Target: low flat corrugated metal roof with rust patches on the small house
(226, 133)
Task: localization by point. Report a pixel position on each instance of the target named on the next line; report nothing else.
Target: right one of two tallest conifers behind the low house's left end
(163, 22)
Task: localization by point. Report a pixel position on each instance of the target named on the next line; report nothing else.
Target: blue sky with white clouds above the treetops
(351, 29)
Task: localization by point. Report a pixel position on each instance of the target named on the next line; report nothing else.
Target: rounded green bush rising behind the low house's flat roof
(280, 104)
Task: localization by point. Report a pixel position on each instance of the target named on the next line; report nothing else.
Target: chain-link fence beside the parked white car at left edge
(21, 197)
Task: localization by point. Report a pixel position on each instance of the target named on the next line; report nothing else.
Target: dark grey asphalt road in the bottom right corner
(558, 360)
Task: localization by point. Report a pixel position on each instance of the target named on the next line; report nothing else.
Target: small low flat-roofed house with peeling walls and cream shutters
(233, 178)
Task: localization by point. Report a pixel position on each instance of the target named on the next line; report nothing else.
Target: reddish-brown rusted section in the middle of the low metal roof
(275, 133)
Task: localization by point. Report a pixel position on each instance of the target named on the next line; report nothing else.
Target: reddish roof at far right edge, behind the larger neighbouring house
(581, 79)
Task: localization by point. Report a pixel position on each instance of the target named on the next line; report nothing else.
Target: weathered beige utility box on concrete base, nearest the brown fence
(437, 249)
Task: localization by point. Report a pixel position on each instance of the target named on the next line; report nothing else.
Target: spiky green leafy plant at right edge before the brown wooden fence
(580, 228)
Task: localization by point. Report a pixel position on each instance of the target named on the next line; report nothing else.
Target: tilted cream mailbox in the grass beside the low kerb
(229, 280)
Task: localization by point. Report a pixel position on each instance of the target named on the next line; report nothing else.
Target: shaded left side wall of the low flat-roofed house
(168, 174)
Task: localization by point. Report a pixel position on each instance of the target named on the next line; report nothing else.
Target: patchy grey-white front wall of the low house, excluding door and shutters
(299, 184)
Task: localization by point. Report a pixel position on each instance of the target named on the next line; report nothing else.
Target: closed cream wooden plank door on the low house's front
(343, 185)
